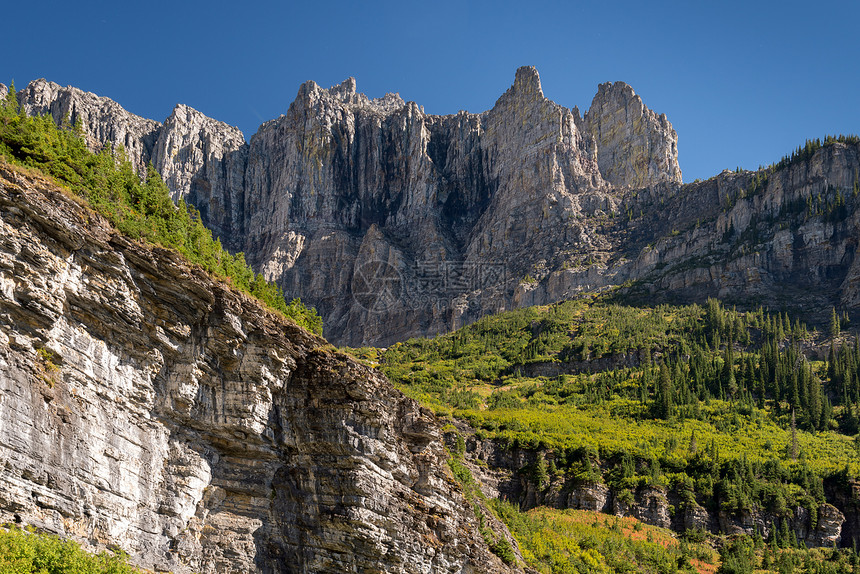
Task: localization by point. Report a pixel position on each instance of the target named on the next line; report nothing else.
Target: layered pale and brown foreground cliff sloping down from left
(146, 406)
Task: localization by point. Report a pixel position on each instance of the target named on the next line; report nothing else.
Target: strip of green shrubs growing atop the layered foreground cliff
(139, 209)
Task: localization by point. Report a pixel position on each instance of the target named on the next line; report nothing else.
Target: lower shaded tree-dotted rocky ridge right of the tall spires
(790, 244)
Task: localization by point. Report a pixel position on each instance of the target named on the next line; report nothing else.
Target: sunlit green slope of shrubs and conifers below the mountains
(720, 405)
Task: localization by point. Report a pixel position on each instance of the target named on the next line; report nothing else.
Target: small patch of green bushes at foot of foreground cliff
(23, 552)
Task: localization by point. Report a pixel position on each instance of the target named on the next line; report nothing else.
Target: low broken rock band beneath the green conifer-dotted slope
(505, 472)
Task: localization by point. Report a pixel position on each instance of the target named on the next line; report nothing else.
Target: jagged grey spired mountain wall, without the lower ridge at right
(438, 208)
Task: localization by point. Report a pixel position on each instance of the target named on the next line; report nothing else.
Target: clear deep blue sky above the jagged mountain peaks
(743, 83)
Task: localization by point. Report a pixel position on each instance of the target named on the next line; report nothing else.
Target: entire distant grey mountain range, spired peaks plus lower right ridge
(394, 223)
